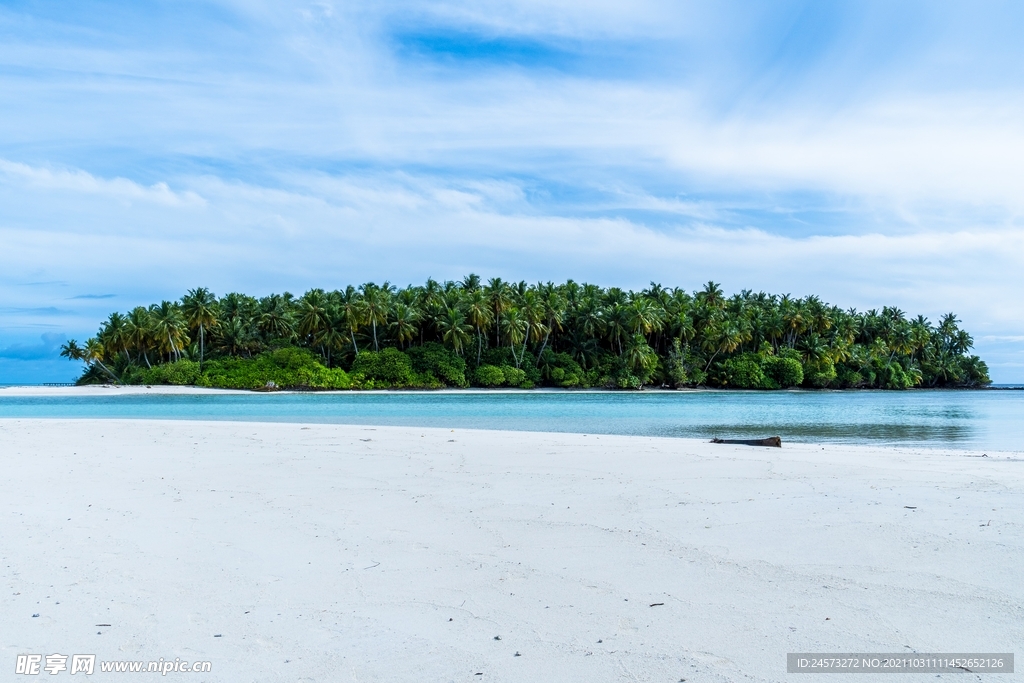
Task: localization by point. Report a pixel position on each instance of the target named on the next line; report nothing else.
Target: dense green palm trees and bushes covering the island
(503, 334)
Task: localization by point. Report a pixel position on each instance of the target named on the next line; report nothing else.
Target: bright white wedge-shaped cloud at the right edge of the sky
(937, 151)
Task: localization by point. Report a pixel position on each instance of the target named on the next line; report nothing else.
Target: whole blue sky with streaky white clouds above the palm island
(872, 153)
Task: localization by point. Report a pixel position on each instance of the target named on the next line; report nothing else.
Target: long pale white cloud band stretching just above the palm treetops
(401, 226)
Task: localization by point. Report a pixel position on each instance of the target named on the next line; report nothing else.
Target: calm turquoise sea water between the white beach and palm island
(958, 419)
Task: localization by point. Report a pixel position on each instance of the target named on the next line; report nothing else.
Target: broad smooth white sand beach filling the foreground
(286, 552)
